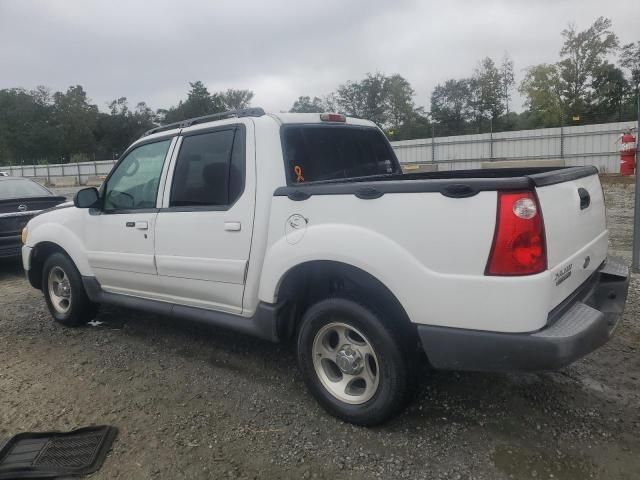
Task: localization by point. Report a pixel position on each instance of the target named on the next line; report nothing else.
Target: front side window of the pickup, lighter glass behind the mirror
(134, 183)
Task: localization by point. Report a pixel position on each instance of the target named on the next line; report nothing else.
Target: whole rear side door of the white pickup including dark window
(203, 231)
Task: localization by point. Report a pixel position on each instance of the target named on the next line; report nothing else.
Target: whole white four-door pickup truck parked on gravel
(302, 227)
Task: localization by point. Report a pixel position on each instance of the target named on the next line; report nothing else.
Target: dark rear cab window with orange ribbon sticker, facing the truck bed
(314, 153)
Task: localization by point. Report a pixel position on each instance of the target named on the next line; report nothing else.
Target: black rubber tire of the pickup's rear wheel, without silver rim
(393, 368)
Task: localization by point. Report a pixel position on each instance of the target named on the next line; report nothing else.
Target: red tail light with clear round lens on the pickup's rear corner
(519, 246)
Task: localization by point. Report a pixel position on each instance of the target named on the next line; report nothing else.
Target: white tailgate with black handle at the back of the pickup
(576, 232)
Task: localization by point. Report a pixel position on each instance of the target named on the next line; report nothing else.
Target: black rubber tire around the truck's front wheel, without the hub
(80, 309)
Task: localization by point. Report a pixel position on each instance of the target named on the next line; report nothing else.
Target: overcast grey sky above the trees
(150, 50)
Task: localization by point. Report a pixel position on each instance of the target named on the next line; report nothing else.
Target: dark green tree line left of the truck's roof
(37, 126)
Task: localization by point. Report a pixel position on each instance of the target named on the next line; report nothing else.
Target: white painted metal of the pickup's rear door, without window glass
(206, 267)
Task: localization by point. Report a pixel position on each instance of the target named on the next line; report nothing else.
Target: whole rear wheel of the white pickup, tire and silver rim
(353, 363)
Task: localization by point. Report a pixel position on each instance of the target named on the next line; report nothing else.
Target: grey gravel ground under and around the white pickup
(195, 402)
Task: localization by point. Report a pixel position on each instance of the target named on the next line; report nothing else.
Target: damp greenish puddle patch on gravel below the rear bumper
(525, 463)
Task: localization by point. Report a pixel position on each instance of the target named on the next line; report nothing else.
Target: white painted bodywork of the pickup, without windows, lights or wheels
(429, 250)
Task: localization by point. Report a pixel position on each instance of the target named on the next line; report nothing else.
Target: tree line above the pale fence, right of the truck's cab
(582, 87)
